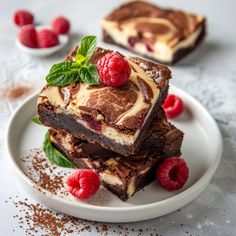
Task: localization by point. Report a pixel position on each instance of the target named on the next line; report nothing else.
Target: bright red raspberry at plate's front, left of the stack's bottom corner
(83, 183)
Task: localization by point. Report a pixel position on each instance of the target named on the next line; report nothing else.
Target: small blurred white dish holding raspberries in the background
(43, 52)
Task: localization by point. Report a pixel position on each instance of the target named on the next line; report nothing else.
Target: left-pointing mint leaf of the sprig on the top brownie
(63, 73)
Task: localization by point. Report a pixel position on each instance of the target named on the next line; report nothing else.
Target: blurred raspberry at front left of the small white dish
(28, 36)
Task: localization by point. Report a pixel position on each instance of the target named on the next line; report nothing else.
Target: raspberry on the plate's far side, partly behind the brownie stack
(173, 106)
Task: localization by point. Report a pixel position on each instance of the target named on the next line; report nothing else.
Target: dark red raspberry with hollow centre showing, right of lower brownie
(172, 173)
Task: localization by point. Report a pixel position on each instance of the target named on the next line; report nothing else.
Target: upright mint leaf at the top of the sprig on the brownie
(87, 47)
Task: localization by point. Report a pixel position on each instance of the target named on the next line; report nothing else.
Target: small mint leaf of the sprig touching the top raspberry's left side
(89, 75)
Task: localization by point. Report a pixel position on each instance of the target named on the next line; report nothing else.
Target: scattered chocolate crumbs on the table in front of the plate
(35, 219)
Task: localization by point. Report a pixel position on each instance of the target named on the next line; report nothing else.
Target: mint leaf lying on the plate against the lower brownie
(53, 154)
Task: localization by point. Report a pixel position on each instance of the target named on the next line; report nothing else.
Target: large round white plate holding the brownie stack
(202, 150)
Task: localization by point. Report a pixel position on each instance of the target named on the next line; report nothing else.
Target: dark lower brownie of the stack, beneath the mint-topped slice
(123, 176)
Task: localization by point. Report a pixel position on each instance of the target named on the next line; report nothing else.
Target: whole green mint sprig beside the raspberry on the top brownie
(68, 72)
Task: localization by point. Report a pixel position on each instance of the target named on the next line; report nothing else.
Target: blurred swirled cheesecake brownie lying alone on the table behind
(165, 35)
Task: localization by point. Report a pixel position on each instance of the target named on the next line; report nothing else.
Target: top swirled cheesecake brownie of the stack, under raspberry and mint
(115, 118)
